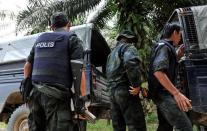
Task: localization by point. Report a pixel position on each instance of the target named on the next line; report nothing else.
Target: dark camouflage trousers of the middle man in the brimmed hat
(126, 110)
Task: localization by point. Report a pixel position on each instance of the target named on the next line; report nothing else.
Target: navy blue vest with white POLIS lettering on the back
(52, 59)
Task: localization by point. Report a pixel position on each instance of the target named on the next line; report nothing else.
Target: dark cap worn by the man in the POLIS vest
(59, 19)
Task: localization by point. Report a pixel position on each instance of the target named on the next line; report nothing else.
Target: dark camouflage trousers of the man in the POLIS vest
(49, 114)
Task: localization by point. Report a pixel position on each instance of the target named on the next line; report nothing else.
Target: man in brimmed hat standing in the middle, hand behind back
(123, 74)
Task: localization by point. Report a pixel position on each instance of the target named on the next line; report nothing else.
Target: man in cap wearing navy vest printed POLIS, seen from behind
(49, 66)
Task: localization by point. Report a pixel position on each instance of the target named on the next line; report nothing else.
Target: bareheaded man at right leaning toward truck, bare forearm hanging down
(171, 103)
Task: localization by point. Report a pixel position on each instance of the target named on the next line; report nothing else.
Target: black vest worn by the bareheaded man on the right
(154, 84)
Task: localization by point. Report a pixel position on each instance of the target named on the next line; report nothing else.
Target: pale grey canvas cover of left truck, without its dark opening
(18, 48)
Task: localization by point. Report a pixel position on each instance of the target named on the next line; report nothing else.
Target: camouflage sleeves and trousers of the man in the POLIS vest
(48, 112)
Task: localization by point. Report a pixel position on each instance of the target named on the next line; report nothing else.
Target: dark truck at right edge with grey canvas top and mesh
(192, 76)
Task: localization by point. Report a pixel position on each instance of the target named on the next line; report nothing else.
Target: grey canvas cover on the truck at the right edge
(200, 17)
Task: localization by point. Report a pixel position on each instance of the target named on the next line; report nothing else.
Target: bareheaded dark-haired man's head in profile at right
(172, 31)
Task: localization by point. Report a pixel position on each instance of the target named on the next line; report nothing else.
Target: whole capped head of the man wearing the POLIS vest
(59, 20)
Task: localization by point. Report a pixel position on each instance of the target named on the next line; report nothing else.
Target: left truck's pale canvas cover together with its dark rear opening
(18, 48)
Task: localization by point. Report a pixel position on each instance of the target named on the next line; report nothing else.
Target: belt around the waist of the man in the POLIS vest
(54, 91)
